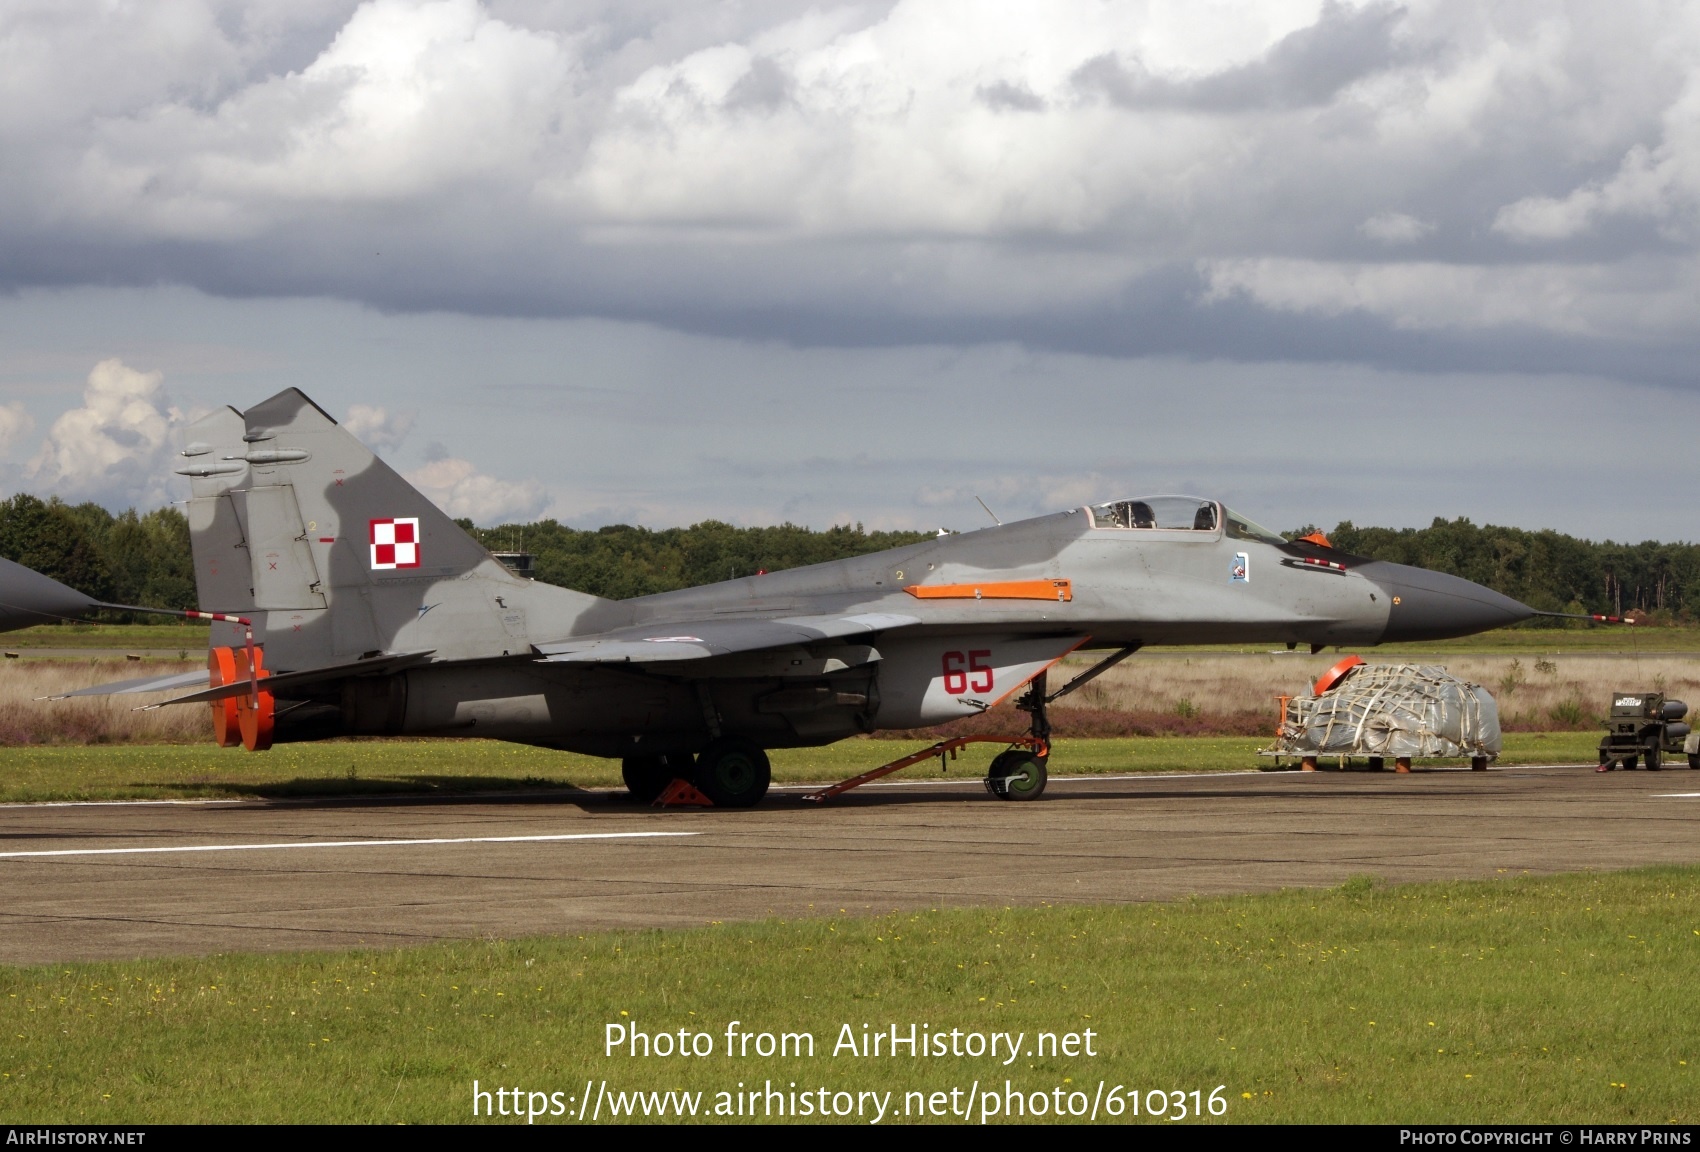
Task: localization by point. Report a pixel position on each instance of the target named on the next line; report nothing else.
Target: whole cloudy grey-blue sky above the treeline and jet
(664, 263)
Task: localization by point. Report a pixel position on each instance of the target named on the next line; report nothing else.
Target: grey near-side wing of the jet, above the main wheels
(698, 640)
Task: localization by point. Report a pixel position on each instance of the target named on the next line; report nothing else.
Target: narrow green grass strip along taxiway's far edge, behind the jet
(133, 772)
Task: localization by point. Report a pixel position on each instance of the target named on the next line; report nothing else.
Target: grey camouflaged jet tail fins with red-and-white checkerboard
(336, 555)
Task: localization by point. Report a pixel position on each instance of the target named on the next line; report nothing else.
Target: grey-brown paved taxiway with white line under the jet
(116, 881)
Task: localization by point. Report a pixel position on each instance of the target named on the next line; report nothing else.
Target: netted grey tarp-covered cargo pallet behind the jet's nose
(1400, 713)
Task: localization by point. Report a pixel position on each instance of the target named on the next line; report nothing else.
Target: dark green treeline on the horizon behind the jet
(145, 560)
